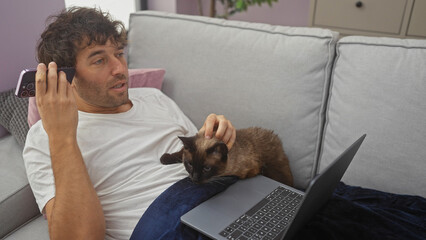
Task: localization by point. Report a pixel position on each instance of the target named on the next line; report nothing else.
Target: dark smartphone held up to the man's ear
(26, 82)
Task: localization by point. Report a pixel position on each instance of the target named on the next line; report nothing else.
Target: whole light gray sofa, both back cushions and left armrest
(318, 92)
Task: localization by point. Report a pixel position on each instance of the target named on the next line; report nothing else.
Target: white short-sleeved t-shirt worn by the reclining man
(122, 155)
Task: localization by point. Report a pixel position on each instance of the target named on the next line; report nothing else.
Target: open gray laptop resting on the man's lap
(261, 208)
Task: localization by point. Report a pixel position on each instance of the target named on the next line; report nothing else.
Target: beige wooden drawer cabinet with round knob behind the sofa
(392, 18)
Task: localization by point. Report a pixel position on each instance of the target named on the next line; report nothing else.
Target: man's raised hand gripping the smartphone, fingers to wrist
(55, 102)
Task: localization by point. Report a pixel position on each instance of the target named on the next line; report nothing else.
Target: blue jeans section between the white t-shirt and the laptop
(162, 219)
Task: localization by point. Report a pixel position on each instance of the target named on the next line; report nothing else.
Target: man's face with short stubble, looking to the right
(101, 79)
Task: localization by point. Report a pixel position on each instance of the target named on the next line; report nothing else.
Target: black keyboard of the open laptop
(267, 219)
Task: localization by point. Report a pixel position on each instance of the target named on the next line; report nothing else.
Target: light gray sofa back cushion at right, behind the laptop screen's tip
(378, 87)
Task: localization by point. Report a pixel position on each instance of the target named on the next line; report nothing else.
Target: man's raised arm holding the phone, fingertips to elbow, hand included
(75, 212)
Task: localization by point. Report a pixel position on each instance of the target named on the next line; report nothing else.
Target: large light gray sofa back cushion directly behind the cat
(255, 74)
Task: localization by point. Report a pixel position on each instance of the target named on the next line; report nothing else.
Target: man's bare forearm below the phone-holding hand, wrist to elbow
(75, 211)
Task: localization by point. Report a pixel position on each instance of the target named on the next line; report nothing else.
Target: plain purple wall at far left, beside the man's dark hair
(21, 22)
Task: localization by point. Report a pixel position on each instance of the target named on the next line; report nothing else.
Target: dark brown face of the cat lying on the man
(203, 158)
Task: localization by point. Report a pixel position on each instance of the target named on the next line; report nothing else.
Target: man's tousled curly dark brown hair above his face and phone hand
(74, 29)
